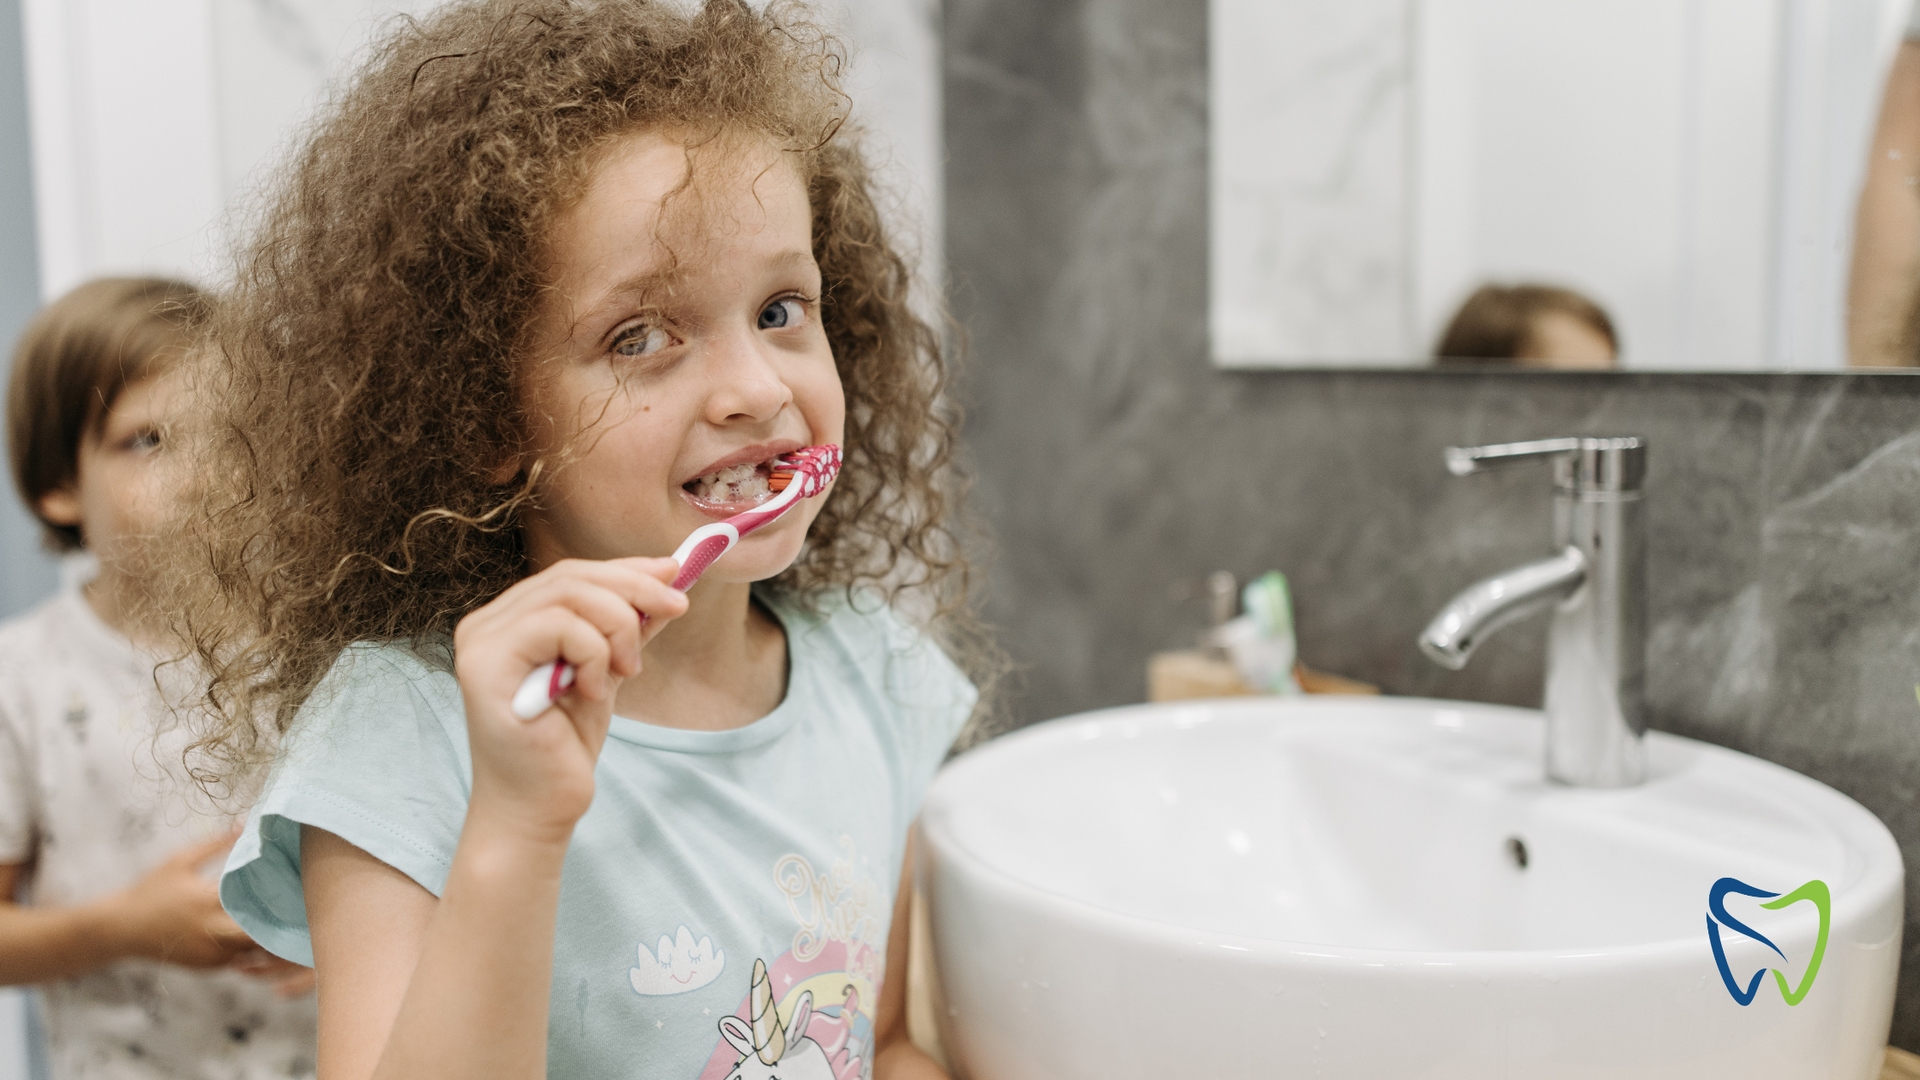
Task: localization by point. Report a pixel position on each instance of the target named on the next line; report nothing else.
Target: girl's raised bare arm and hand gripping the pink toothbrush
(423, 989)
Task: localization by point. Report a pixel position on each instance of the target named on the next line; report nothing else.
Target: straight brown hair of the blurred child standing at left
(72, 364)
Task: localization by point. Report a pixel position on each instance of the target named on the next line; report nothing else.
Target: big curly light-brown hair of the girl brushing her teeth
(366, 370)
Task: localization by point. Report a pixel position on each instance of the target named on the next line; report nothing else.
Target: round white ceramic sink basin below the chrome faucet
(1333, 889)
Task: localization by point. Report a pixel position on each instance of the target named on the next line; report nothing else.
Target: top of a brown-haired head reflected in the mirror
(1529, 326)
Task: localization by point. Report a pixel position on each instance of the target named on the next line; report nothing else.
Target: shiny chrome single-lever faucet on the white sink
(1598, 589)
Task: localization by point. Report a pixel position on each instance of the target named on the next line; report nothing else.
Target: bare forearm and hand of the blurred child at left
(174, 914)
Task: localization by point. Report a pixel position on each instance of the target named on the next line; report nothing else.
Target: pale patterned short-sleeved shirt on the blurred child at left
(93, 800)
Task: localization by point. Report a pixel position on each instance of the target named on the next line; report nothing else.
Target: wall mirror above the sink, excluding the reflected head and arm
(1692, 166)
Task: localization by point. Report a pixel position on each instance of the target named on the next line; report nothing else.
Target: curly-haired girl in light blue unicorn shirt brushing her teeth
(548, 289)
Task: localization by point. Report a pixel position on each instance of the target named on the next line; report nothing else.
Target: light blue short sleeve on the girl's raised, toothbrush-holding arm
(379, 758)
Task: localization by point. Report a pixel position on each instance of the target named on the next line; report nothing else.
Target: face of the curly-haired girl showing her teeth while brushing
(679, 353)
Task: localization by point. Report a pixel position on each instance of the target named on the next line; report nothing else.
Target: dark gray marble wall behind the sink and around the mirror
(1115, 464)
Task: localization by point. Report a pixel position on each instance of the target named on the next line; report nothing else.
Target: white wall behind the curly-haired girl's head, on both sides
(153, 116)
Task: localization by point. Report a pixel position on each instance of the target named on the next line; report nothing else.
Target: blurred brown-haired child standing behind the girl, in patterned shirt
(143, 973)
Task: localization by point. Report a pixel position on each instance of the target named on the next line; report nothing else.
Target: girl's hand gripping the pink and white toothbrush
(537, 777)
